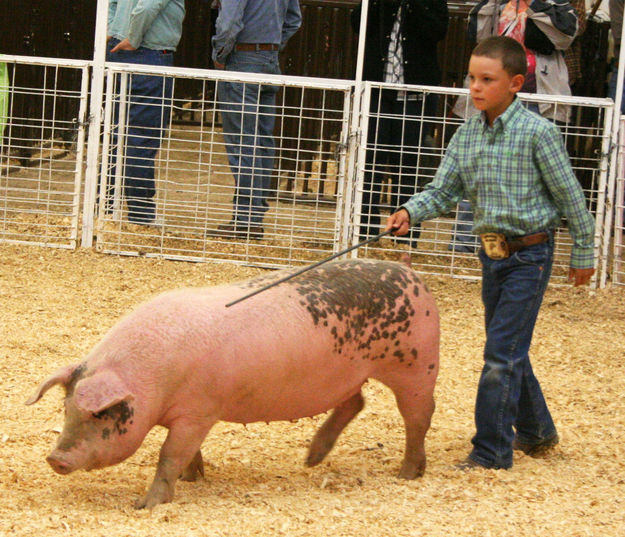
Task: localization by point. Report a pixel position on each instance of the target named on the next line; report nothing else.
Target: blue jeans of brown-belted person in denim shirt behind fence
(248, 118)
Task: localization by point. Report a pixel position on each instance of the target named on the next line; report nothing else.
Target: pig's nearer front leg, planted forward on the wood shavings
(179, 452)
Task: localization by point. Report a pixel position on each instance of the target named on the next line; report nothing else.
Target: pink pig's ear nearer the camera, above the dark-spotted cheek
(100, 391)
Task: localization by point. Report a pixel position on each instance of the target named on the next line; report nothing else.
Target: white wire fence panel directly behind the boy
(405, 131)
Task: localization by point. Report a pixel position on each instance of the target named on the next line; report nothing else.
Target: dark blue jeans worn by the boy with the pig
(509, 396)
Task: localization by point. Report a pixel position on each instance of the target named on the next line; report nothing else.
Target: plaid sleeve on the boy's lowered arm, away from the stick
(568, 197)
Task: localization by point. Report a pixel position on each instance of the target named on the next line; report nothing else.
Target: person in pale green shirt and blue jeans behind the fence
(143, 32)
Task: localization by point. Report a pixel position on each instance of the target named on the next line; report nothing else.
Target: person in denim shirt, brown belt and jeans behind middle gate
(248, 37)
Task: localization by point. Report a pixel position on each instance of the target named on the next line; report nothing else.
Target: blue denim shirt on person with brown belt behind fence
(254, 21)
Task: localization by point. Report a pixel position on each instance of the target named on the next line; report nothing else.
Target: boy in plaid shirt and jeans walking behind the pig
(512, 166)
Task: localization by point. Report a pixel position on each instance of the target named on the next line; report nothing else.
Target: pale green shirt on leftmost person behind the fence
(153, 24)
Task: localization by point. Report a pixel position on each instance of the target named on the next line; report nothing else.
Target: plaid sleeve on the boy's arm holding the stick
(443, 193)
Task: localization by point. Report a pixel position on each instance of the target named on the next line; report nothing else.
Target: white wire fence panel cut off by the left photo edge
(42, 142)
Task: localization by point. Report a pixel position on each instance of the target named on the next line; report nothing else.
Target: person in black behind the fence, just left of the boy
(400, 48)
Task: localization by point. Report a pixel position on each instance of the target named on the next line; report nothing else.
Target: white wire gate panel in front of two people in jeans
(194, 180)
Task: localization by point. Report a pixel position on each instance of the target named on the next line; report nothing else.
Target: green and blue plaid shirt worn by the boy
(517, 177)
